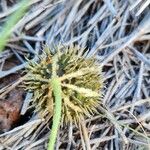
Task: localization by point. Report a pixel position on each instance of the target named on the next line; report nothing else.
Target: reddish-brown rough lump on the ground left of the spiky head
(10, 109)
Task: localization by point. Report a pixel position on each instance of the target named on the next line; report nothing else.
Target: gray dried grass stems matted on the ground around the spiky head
(117, 33)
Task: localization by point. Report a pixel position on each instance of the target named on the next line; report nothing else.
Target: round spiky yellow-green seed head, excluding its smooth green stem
(81, 83)
